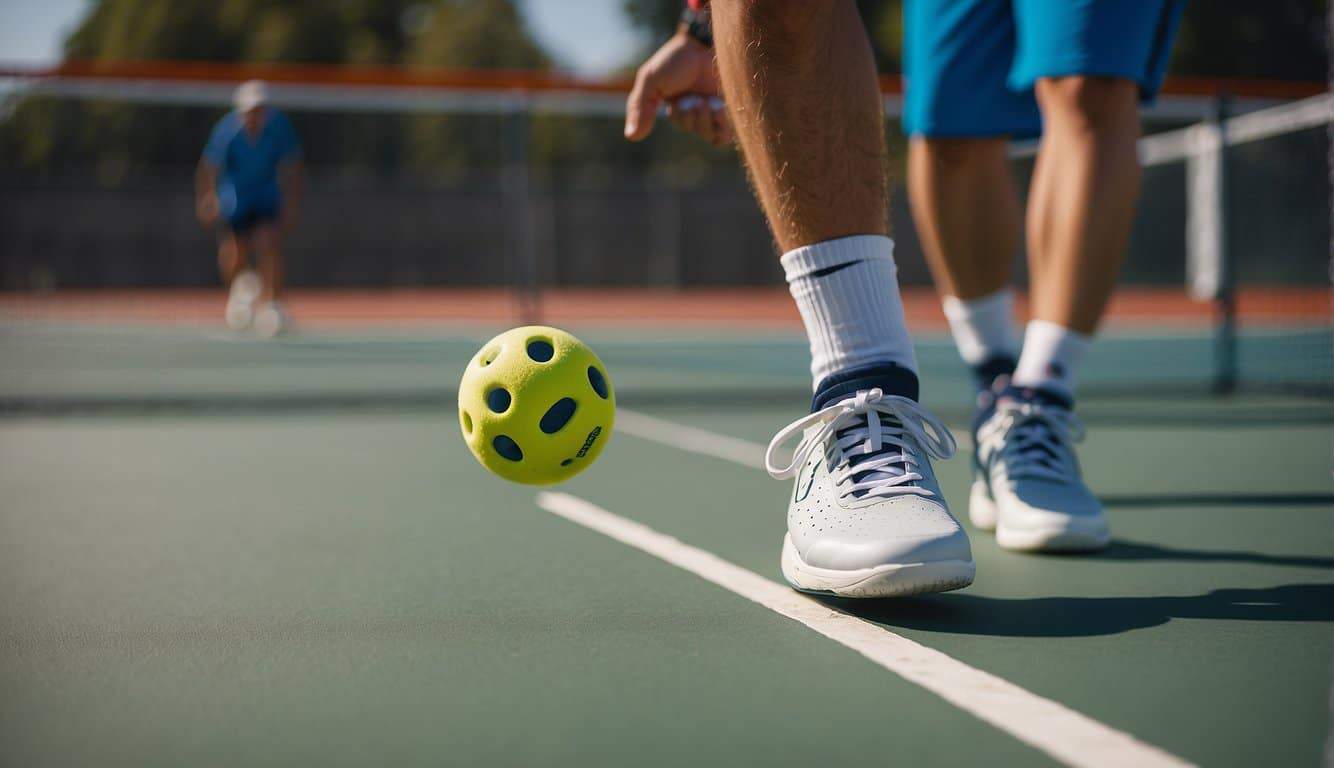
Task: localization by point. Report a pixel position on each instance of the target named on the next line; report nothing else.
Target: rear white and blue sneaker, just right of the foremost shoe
(1027, 483)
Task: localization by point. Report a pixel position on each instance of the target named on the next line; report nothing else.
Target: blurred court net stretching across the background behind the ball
(444, 209)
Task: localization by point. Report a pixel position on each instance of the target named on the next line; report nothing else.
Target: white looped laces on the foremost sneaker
(888, 431)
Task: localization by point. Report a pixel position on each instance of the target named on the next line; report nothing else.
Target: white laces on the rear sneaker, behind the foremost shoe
(1035, 439)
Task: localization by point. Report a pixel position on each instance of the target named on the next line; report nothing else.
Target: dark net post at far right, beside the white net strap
(1225, 299)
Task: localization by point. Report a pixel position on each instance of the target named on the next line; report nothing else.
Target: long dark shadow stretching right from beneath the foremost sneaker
(965, 614)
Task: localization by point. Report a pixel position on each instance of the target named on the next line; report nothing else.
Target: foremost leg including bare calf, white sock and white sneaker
(800, 79)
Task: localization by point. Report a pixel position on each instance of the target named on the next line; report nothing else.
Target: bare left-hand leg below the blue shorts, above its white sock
(966, 210)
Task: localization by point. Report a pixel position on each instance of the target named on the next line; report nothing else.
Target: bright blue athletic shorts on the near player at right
(970, 65)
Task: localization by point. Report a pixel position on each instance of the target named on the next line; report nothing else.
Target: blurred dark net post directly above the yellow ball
(524, 253)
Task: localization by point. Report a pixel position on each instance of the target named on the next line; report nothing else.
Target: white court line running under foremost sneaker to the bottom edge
(1061, 733)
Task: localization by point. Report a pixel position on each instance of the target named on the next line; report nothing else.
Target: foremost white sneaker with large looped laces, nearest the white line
(866, 518)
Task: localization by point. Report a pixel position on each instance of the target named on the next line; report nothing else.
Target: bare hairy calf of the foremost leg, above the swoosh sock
(800, 81)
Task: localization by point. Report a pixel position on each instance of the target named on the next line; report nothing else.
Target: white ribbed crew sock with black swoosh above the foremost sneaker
(848, 293)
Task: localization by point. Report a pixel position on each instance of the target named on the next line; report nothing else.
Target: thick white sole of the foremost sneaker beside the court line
(889, 581)
